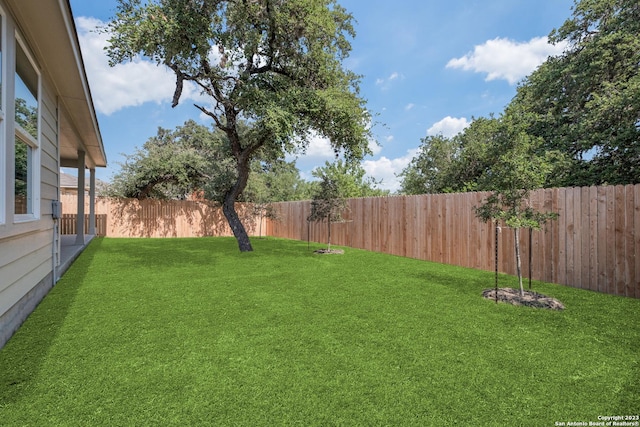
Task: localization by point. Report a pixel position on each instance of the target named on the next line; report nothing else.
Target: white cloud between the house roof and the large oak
(125, 85)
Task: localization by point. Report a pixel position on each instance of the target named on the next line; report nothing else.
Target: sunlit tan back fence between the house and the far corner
(157, 218)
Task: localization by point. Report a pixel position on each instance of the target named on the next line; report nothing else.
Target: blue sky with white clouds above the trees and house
(428, 67)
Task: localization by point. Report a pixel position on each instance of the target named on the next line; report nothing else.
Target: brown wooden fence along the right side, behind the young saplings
(594, 244)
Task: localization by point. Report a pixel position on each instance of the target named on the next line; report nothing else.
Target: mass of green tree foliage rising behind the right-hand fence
(583, 107)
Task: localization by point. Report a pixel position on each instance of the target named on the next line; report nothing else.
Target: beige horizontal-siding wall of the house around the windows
(26, 246)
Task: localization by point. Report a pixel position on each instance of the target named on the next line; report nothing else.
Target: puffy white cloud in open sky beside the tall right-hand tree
(506, 59)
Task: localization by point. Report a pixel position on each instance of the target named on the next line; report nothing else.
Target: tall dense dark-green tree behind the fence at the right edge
(586, 102)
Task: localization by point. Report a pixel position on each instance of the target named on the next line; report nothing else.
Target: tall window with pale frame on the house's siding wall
(26, 140)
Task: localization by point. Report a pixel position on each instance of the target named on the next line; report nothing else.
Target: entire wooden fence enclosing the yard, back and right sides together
(594, 244)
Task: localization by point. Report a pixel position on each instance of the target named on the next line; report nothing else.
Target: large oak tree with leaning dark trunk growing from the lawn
(274, 63)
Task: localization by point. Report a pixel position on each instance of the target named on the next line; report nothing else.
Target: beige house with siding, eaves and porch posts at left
(47, 121)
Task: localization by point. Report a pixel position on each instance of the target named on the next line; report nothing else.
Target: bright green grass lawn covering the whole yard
(193, 332)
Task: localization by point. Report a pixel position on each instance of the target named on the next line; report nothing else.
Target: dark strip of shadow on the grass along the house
(22, 357)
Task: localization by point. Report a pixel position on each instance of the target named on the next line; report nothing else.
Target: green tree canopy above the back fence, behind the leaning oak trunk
(193, 160)
